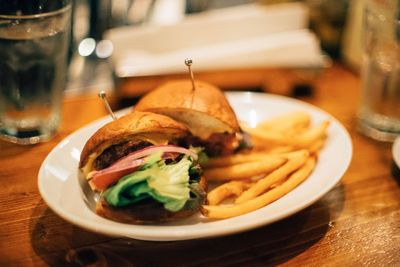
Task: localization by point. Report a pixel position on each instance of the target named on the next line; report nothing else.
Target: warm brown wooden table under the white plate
(356, 223)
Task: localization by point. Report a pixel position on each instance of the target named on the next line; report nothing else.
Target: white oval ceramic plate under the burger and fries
(59, 186)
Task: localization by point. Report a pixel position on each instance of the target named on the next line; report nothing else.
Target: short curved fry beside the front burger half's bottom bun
(232, 188)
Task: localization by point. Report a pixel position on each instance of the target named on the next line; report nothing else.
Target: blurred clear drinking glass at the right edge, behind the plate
(379, 113)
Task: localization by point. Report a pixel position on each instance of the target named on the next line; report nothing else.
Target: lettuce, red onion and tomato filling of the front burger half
(167, 174)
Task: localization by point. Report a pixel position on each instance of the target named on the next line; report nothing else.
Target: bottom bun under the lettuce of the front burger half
(150, 212)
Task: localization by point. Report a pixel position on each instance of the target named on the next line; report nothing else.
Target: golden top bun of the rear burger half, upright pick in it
(204, 110)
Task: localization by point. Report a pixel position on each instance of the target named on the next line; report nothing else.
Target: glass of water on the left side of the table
(34, 42)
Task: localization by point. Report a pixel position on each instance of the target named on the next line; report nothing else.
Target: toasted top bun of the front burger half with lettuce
(141, 126)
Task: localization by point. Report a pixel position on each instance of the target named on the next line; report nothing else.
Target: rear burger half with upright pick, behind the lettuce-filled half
(204, 110)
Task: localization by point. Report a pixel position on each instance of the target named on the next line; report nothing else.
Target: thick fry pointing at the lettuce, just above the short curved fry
(244, 170)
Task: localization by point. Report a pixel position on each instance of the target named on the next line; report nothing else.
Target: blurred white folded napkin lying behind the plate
(246, 36)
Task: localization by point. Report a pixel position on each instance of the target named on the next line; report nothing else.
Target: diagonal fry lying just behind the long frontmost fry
(297, 159)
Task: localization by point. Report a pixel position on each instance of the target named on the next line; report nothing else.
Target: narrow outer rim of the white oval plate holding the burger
(195, 234)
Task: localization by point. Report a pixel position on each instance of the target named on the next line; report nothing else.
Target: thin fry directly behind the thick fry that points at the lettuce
(238, 158)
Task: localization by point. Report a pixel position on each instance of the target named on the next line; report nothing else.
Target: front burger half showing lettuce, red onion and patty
(141, 171)
